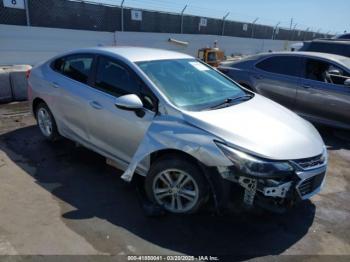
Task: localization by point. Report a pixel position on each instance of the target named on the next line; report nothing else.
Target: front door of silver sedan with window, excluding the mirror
(115, 131)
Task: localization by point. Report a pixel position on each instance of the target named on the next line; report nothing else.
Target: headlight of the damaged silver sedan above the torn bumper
(254, 166)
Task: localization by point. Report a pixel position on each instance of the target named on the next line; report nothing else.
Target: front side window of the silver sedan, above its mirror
(113, 78)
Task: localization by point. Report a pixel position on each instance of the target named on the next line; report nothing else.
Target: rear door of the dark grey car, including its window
(278, 78)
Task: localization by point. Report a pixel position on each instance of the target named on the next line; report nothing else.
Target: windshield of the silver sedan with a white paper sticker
(190, 84)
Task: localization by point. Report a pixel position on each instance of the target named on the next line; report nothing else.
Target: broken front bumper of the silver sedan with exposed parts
(277, 194)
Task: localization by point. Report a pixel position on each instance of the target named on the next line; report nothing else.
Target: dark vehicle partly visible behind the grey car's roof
(330, 46)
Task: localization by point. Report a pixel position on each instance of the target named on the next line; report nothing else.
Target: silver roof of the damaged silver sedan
(137, 54)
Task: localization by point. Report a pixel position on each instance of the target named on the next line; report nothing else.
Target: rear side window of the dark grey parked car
(284, 65)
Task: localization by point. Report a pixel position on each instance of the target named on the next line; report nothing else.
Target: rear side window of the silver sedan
(77, 67)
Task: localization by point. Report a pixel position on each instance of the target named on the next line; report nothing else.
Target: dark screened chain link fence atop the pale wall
(97, 17)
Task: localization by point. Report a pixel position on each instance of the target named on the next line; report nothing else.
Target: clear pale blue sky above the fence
(318, 15)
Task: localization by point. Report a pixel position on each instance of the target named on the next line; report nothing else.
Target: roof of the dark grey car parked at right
(345, 61)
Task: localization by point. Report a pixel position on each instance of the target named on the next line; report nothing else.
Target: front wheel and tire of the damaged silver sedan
(177, 185)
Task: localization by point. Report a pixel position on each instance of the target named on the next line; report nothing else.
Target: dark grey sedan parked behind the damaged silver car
(315, 85)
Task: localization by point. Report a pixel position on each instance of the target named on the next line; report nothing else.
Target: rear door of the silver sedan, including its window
(72, 76)
